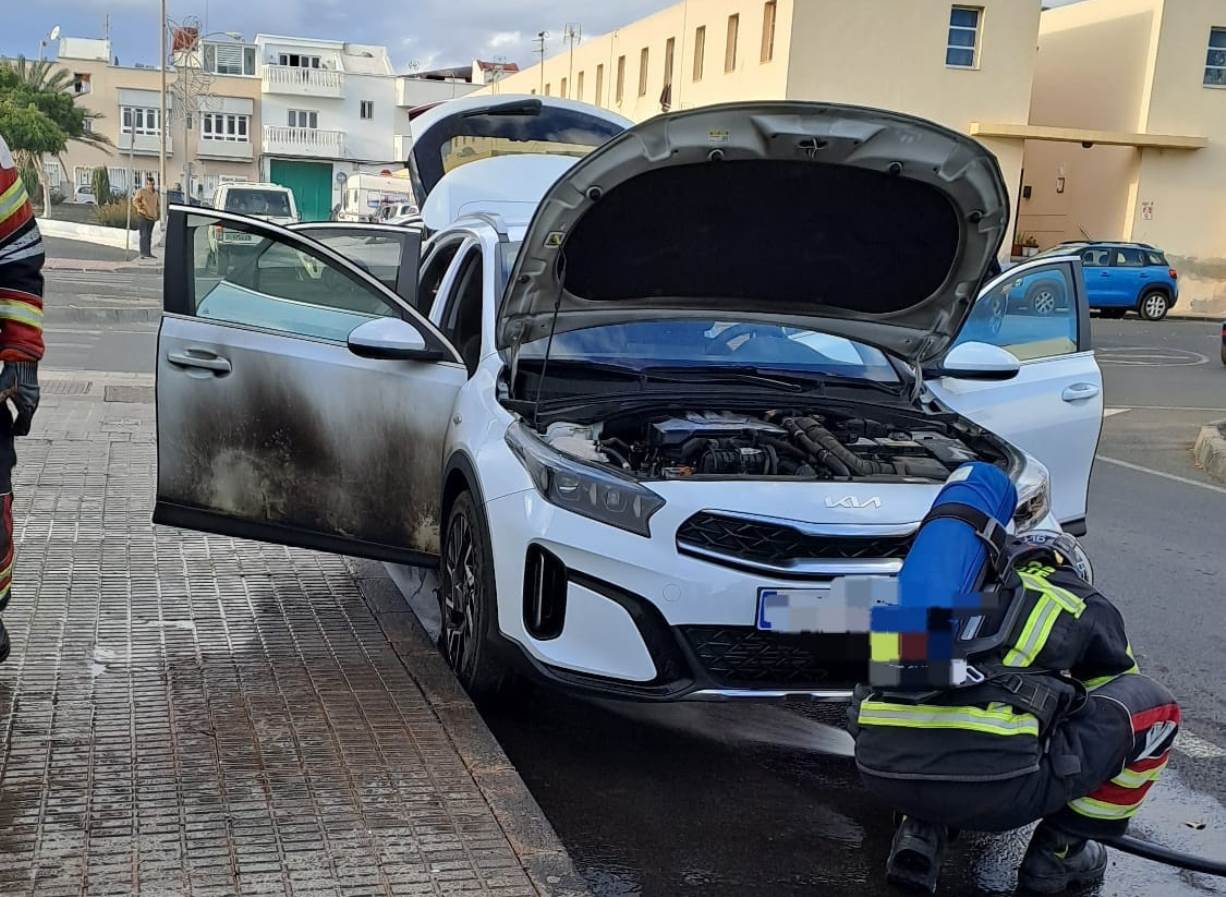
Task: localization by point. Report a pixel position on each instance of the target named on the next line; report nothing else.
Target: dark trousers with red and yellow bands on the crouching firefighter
(1099, 766)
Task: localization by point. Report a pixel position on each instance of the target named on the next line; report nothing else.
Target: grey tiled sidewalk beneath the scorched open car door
(197, 715)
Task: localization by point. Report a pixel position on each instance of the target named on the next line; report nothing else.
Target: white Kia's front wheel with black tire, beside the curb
(469, 602)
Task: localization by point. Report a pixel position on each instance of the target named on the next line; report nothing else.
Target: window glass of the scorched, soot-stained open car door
(264, 282)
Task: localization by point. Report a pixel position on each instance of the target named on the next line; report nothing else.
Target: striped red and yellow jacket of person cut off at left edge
(21, 262)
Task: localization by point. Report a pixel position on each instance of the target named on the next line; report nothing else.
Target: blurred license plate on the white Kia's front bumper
(842, 607)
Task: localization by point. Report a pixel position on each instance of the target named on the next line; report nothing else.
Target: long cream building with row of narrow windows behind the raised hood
(958, 64)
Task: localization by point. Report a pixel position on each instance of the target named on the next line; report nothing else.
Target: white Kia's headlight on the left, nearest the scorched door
(587, 491)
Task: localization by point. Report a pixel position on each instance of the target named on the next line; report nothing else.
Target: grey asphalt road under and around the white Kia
(747, 801)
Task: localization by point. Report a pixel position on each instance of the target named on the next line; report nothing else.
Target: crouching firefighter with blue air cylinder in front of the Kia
(1003, 692)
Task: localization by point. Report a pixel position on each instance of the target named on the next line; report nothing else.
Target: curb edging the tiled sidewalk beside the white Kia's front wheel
(524, 824)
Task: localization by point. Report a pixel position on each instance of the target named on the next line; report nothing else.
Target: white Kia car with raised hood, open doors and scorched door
(619, 430)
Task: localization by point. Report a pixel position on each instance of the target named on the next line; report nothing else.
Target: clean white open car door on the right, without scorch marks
(1054, 409)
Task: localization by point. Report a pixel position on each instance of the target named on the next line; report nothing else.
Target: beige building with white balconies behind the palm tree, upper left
(218, 138)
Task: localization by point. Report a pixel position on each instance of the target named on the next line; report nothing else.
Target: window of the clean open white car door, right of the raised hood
(1033, 316)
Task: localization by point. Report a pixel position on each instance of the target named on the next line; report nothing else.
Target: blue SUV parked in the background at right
(1126, 276)
